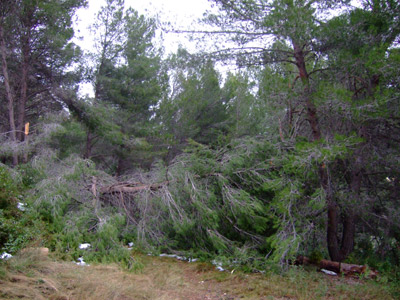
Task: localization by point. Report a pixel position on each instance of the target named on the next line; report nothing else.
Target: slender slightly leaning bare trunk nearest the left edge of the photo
(9, 94)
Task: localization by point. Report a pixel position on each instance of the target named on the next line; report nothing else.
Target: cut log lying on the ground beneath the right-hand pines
(338, 267)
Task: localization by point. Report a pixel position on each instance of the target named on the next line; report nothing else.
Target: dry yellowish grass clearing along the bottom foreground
(34, 276)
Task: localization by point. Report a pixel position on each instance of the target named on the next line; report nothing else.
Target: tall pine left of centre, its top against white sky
(128, 81)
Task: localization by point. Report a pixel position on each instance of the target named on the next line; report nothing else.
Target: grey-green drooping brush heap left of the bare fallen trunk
(62, 199)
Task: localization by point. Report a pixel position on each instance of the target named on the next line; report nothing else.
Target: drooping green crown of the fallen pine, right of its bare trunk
(211, 204)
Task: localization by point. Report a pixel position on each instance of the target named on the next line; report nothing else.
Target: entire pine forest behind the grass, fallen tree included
(295, 152)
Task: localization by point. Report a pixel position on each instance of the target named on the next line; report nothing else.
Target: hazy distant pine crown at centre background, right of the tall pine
(196, 110)
